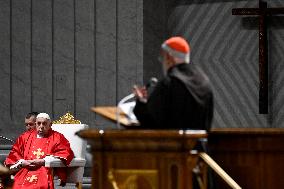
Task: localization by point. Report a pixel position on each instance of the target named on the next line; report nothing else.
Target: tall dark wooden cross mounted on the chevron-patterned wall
(262, 12)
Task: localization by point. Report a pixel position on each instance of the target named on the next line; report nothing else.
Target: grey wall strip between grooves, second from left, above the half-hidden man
(21, 63)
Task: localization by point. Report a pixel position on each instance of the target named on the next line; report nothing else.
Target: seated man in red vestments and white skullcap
(29, 151)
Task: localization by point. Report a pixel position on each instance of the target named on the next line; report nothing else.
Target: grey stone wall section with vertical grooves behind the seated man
(67, 55)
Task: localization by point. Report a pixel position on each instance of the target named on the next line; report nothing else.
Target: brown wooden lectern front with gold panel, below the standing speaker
(142, 159)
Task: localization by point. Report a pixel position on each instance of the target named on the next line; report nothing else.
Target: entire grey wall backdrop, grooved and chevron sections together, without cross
(67, 55)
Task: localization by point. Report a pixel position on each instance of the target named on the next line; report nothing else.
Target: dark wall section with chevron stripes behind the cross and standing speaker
(226, 47)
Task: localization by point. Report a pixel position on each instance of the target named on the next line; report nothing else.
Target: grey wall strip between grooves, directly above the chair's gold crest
(63, 57)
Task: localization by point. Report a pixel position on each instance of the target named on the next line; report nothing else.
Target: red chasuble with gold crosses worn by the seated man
(29, 147)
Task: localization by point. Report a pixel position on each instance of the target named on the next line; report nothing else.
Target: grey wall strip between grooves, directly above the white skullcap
(42, 56)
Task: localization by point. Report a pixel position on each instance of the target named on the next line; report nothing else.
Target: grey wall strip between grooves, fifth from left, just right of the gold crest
(85, 61)
